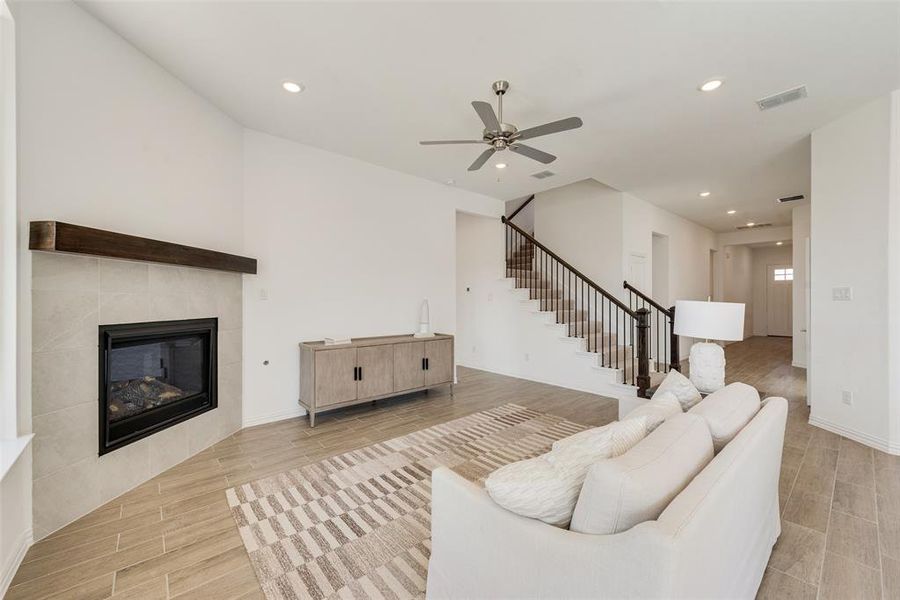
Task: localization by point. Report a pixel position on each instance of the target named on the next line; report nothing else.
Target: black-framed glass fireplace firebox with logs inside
(153, 376)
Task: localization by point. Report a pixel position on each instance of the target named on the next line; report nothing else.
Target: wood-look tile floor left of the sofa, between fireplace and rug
(173, 537)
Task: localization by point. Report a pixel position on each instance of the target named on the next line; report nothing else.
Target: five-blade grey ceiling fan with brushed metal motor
(502, 136)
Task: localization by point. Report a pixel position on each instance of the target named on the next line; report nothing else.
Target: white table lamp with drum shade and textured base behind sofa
(710, 321)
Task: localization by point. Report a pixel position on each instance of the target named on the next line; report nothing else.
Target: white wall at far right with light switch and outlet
(854, 244)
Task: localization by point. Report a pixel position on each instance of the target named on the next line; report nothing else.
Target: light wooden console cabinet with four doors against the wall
(370, 369)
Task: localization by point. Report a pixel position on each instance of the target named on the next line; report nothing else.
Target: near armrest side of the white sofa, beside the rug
(481, 550)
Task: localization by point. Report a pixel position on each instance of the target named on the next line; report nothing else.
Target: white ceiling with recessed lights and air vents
(381, 76)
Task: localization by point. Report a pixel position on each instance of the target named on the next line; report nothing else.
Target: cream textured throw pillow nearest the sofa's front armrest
(546, 487)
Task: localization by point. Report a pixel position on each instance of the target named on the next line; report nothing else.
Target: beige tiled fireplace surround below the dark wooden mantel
(72, 296)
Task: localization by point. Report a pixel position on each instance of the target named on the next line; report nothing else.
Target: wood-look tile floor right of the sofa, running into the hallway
(839, 499)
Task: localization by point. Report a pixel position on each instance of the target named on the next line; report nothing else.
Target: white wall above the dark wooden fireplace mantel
(107, 138)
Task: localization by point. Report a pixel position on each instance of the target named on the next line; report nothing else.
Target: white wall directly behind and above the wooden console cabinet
(344, 248)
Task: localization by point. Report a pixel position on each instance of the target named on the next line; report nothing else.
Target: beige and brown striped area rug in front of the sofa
(358, 525)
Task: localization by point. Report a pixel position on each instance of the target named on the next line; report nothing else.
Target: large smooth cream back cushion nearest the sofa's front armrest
(621, 492)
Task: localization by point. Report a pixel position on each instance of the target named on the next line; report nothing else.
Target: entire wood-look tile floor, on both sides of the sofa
(173, 536)
